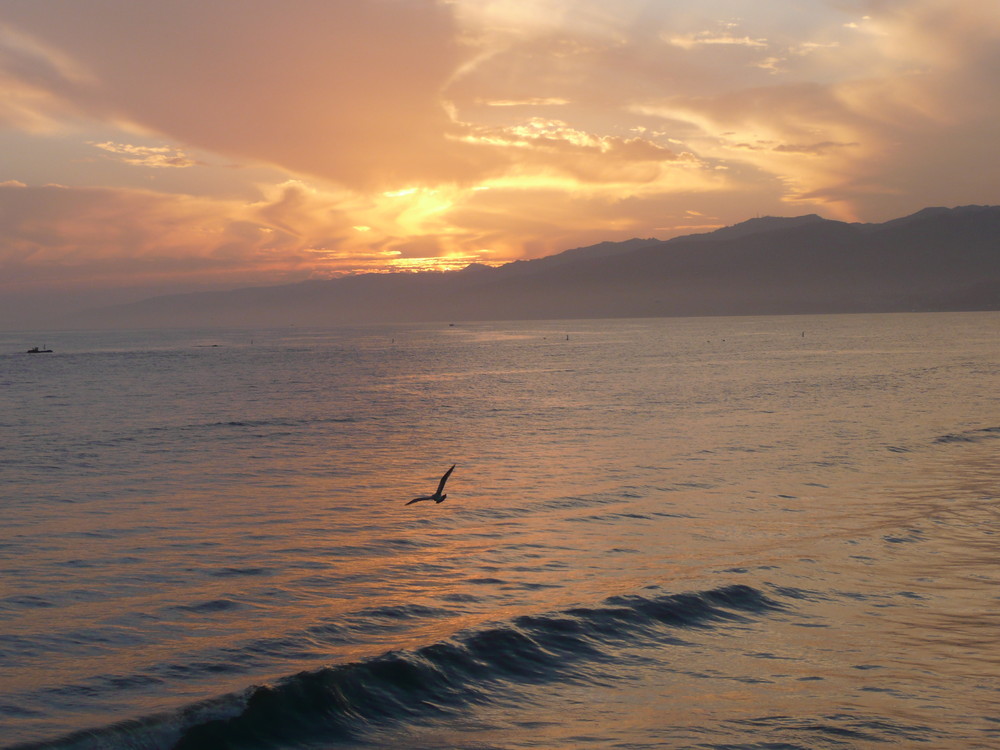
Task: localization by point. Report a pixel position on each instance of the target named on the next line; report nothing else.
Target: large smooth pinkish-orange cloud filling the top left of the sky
(345, 91)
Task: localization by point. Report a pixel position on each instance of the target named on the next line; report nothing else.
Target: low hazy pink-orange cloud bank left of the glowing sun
(98, 236)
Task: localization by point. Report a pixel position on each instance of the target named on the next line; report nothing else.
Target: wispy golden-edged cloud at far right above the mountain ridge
(914, 94)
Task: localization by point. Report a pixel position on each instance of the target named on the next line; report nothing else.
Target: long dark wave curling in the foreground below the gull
(341, 703)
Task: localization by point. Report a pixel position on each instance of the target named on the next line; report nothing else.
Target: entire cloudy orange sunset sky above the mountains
(169, 146)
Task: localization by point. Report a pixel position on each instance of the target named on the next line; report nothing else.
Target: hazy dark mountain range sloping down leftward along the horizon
(937, 259)
